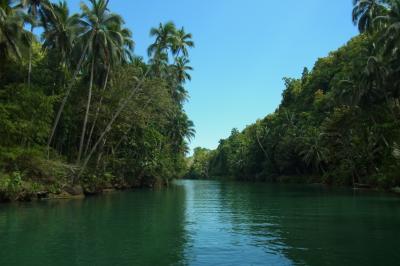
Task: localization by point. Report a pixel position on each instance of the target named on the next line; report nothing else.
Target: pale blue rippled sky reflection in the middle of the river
(221, 232)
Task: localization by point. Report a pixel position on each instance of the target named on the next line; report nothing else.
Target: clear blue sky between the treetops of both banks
(243, 50)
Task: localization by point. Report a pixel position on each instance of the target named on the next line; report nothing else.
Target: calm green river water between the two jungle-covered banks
(206, 223)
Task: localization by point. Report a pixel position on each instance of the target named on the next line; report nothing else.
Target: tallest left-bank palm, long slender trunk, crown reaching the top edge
(99, 24)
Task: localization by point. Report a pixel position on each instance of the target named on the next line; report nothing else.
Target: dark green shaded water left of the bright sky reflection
(129, 228)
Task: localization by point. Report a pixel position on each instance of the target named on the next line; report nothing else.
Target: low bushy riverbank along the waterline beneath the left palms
(43, 180)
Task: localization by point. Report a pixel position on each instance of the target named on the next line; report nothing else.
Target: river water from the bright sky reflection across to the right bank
(280, 225)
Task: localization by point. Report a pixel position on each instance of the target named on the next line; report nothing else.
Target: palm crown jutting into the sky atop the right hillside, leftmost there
(365, 11)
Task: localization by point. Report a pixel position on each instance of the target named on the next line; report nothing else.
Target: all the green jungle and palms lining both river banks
(80, 112)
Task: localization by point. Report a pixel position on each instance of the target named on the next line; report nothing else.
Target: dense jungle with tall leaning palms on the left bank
(78, 107)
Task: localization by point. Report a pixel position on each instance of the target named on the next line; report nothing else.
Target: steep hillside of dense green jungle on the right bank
(337, 124)
